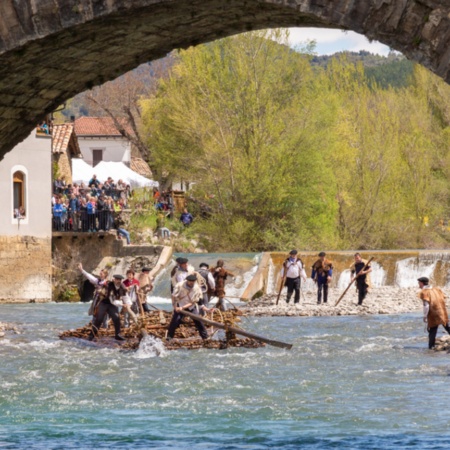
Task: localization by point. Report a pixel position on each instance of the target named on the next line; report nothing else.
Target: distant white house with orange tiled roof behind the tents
(100, 140)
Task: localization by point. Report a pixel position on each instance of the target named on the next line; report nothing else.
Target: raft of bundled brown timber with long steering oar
(155, 324)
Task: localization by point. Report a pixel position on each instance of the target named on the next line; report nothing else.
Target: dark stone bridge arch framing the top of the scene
(51, 50)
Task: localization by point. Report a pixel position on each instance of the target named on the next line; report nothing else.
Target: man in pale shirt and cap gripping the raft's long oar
(185, 297)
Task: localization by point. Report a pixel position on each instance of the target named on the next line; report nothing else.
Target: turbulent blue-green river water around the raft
(349, 382)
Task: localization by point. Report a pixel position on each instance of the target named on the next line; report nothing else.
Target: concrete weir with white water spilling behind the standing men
(398, 268)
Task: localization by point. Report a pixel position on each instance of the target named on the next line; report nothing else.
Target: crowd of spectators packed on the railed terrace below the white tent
(93, 207)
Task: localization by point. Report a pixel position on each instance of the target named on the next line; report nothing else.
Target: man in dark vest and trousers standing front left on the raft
(109, 304)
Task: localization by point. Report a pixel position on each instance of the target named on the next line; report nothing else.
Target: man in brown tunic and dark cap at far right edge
(434, 309)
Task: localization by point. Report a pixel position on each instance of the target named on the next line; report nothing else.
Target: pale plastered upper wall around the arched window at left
(32, 157)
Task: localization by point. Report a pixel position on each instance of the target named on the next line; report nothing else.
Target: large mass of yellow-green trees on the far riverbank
(283, 150)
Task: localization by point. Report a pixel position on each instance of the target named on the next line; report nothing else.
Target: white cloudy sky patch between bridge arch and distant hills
(330, 41)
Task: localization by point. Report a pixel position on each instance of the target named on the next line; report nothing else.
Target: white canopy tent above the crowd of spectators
(82, 172)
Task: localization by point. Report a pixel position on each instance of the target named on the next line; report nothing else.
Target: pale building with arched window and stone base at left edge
(25, 221)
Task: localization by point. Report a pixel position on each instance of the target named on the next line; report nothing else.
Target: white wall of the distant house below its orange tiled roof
(114, 149)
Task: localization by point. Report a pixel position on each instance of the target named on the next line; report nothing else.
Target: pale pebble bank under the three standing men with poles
(382, 300)
